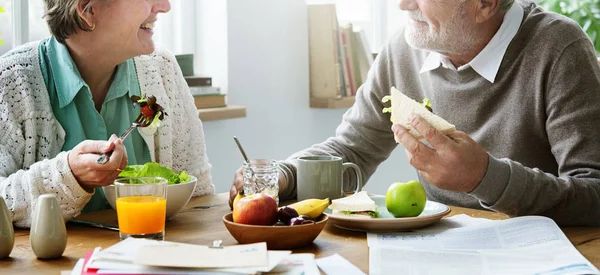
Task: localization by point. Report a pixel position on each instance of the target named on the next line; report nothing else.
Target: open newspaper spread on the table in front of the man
(523, 245)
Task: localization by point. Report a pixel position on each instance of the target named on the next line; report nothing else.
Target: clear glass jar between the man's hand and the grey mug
(261, 176)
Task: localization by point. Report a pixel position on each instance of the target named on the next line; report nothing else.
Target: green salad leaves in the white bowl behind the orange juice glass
(153, 169)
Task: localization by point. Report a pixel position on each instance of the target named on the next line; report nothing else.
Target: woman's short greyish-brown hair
(63, 19)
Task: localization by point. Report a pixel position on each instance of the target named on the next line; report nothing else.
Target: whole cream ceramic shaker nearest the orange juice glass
(48, 235)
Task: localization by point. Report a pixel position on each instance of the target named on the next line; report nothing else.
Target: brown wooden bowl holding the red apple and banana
(276, 237)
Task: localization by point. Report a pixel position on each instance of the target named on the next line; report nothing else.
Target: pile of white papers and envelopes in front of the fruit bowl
(140, 256)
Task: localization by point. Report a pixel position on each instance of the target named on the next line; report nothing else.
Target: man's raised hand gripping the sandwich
(455, 162)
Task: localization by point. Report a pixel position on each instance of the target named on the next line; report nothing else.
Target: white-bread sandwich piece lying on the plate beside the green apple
(359, 205)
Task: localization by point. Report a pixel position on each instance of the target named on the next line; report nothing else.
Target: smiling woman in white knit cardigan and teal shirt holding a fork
(62, 98)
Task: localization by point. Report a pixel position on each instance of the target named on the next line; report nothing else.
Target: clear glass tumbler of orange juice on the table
(141, 207)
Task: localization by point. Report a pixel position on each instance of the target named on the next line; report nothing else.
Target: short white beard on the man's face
(455, 36)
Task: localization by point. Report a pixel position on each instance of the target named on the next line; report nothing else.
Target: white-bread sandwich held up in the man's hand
(403, 106)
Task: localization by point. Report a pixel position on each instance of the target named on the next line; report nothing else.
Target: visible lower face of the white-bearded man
(444, 26)
